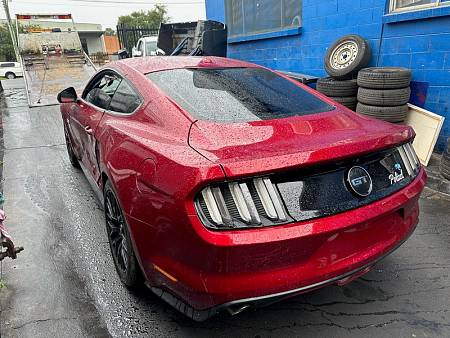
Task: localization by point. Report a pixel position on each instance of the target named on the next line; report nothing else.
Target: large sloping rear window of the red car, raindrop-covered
(236, 94)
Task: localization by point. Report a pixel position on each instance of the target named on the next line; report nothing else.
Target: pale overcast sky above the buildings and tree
(106, 12)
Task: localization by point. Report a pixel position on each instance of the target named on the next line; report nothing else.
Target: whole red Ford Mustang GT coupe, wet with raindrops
(227, 185)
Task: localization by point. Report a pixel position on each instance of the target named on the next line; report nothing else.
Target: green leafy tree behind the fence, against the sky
(149, 19)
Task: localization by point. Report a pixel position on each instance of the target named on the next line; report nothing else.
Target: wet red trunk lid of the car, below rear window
(272, 145)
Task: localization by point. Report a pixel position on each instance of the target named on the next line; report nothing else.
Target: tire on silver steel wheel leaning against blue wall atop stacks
(347, 56)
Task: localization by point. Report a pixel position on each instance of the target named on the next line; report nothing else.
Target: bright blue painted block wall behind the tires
(417, 40)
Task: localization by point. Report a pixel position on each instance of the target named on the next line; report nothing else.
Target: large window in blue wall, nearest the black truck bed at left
(252, 17)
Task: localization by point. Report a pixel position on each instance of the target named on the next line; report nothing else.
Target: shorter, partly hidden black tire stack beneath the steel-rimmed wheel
(341, 91)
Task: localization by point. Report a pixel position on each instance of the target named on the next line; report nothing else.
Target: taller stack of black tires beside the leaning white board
(384, 93)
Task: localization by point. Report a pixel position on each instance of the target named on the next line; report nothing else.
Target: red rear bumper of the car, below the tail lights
(236, 269)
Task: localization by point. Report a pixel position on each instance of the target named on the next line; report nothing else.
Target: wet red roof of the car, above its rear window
(157, 63)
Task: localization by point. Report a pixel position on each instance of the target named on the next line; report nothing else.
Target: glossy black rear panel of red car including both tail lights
(258, 202)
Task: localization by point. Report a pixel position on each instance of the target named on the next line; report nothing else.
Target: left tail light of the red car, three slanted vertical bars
(251, 203)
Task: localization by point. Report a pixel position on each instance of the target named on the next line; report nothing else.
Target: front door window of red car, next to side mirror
(102, 90)
